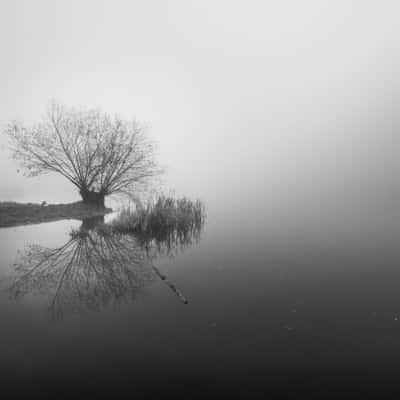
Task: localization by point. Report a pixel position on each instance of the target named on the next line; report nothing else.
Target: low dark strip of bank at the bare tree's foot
(14, 214)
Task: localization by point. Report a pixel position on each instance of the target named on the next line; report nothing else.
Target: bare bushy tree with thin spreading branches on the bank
(99, 154)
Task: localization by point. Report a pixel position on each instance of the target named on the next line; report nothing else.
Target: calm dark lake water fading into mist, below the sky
(272, 308)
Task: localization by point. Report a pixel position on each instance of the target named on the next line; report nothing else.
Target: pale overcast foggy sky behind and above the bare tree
(267, 99)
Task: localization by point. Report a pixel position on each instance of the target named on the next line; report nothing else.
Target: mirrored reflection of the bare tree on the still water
(92, 269)
